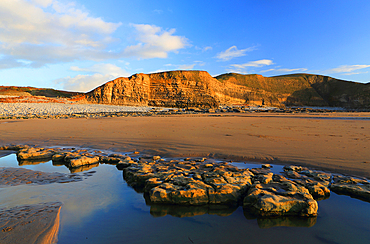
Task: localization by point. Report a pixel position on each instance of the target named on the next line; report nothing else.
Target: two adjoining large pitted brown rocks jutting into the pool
(202, 183)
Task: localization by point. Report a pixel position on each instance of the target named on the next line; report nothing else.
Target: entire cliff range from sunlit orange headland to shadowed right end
(199, 89)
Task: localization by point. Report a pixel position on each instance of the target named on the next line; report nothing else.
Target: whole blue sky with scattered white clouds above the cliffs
(77, 45)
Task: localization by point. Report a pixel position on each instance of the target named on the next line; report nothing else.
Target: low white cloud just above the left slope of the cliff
(101, 73)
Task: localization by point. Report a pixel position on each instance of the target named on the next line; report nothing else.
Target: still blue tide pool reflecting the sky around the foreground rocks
(104, 209)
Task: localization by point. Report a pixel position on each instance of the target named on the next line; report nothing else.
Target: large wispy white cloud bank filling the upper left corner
(47, 31)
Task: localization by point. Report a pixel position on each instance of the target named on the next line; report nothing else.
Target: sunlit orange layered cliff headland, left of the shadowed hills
(167, 89)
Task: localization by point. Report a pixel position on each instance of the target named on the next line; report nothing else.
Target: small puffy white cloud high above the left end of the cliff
(154, 42)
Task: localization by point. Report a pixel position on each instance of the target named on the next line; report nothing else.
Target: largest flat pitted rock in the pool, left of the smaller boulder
(189, 182)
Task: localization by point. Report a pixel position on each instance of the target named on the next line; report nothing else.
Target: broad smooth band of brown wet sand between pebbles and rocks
(338, 142)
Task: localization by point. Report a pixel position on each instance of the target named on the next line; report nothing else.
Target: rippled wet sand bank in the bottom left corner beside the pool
(31, 224)
